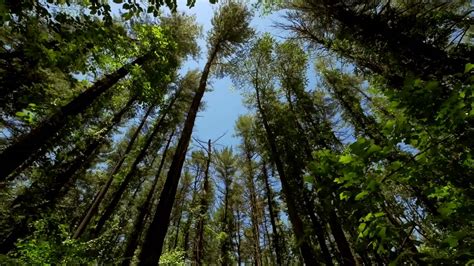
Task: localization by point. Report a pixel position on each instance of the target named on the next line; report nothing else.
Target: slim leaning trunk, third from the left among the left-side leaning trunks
(103, 191)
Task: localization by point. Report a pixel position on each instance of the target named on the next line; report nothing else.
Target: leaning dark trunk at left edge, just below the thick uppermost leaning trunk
(26, 205)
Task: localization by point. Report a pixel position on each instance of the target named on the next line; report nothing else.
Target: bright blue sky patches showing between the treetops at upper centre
(223, 103)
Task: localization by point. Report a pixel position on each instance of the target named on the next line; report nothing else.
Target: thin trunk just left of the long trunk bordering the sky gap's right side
(277, 242)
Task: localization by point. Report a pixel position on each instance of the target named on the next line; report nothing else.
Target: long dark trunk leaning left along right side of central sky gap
(307, 252)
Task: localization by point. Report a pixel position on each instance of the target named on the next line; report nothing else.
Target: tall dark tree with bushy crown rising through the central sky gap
(230, 30)
